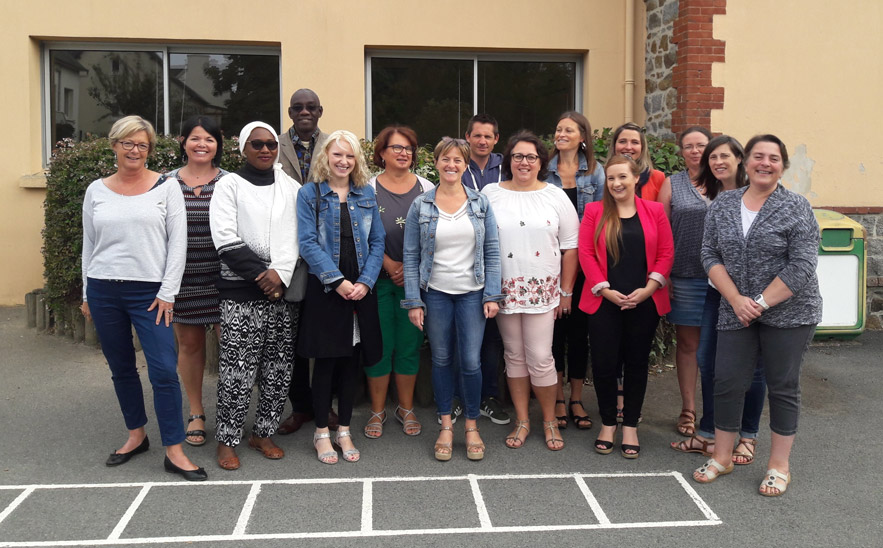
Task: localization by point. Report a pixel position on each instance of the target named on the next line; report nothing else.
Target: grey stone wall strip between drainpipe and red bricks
(660, 56)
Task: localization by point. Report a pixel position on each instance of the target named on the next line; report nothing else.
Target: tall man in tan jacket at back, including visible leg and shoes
(297, 147)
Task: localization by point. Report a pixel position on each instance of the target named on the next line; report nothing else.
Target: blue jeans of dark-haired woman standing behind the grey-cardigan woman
(705, 355)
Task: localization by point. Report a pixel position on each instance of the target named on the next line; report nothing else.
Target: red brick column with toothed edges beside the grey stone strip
(697, 50)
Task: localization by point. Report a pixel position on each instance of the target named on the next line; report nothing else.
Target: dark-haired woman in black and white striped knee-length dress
(196, 305)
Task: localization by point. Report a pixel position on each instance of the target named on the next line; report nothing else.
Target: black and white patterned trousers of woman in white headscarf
(257, 343)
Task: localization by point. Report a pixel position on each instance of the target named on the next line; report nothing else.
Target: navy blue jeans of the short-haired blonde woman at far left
(116, 306)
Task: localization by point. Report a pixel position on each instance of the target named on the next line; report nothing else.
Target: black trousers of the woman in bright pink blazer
(621, 337)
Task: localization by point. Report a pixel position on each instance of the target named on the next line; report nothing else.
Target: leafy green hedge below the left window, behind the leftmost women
(74, 166)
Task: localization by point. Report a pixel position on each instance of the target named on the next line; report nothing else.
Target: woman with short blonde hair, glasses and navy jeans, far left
(134, 251)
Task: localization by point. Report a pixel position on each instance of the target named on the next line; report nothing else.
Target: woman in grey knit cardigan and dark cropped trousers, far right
(760, 250)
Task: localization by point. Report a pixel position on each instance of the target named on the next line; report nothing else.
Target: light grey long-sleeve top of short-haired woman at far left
(139, 238)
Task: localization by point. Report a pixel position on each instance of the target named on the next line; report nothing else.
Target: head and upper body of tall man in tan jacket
(304, 138)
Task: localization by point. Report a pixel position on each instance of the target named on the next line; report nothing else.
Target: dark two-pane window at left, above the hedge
(91, 89)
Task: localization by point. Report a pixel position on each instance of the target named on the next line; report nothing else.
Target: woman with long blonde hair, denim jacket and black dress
(341, 239)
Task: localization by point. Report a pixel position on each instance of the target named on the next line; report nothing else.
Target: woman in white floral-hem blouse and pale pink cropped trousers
(538, 241)
